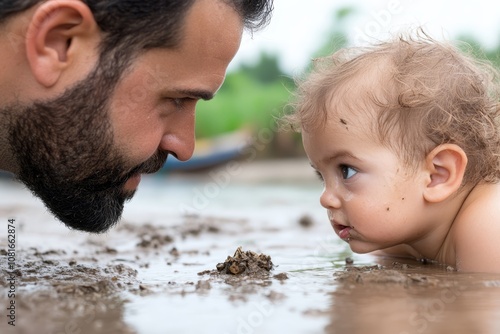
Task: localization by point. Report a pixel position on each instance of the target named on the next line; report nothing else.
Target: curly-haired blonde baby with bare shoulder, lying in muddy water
(405, 136)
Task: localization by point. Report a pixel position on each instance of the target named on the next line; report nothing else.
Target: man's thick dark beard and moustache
(66, 155)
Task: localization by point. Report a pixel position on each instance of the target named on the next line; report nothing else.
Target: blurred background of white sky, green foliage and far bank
(260, 80)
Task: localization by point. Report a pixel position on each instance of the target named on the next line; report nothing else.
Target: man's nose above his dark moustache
(179, 137)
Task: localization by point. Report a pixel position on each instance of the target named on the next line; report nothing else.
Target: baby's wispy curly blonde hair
(426, 93)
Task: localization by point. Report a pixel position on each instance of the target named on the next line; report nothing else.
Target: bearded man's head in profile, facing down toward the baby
(107, 89)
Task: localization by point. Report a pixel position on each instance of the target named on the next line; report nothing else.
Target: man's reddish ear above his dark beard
(58, 31)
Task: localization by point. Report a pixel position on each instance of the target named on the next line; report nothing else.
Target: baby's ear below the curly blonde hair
(446, 167)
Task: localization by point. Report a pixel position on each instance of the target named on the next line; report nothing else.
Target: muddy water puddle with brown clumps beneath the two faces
(157, 271)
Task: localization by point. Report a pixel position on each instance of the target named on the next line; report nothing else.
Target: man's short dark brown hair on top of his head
(131, 27)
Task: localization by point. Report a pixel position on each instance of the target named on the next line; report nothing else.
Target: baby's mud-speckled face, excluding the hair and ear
(373, 201)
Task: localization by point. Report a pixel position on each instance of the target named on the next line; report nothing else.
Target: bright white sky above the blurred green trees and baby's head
(299, 27)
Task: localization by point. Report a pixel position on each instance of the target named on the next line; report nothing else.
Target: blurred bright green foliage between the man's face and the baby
(252, 97)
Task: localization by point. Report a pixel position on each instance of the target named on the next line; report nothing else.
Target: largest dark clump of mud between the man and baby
(246, 263)
